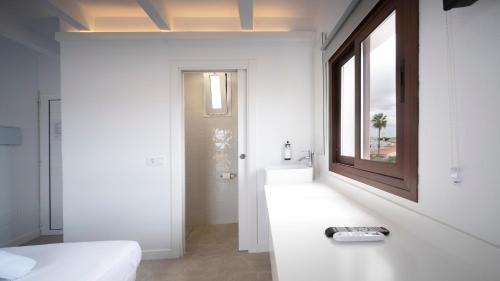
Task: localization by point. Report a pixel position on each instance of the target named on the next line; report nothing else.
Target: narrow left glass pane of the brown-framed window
(347, 109)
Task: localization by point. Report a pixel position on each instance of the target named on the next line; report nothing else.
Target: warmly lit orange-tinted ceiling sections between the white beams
(199, 15)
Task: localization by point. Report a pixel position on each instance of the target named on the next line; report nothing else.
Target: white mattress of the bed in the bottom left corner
(87, 261)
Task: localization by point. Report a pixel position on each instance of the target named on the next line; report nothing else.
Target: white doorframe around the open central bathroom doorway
(247, 192)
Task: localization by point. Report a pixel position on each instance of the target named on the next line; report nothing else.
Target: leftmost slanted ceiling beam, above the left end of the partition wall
(70, 12)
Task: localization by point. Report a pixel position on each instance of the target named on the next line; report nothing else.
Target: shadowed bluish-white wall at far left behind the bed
(19, 195)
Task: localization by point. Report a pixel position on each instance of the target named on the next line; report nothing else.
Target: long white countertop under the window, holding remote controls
(299, 215)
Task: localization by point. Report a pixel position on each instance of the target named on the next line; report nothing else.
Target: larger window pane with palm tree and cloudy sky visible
(378, 84)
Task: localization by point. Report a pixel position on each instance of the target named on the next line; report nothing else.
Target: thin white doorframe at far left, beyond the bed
(44, 142)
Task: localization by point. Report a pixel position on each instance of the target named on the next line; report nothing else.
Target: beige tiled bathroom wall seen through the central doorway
(210, 199)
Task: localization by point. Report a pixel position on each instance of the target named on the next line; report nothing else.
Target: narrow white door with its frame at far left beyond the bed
(51, 188)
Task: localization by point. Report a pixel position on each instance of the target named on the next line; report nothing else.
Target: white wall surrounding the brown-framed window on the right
(471, 206)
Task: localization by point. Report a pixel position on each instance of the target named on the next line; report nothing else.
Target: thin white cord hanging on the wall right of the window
(455, 173)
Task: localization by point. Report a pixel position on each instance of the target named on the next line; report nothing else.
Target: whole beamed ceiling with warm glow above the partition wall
(34, 22)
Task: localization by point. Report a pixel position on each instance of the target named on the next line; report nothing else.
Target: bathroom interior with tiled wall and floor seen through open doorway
(211, 160)
